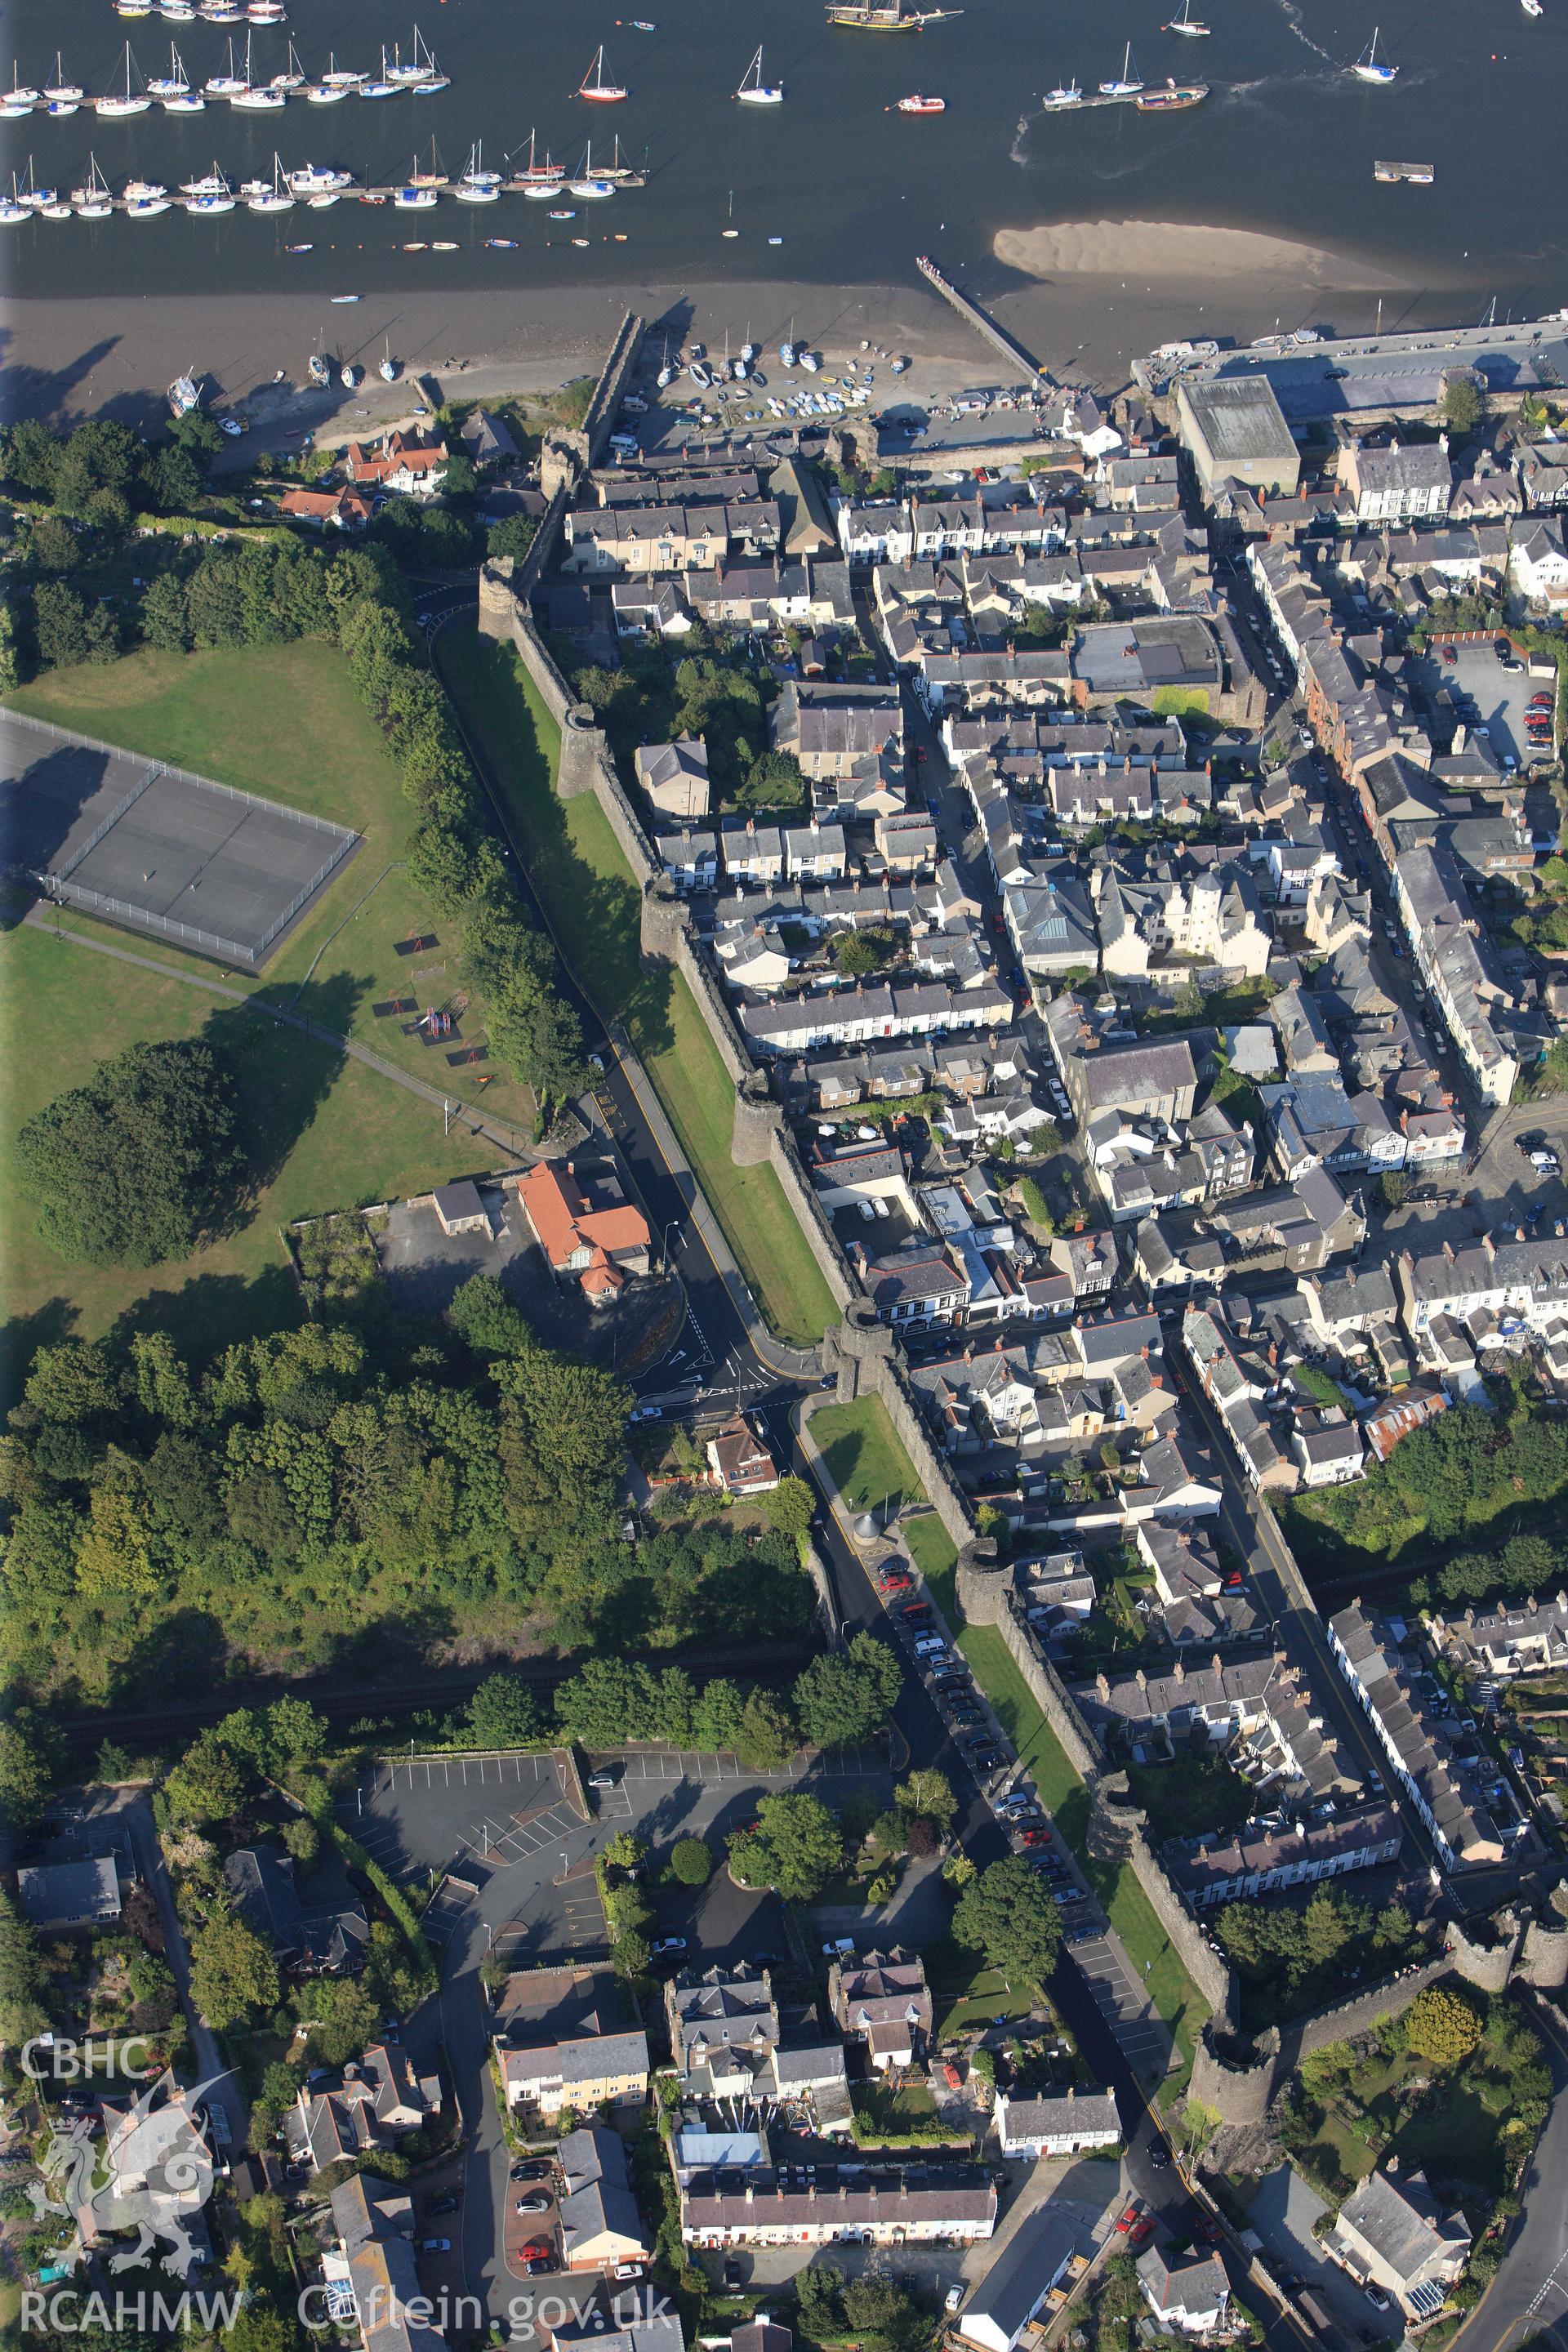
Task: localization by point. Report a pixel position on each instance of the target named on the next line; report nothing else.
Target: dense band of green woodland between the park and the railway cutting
(349, 1499)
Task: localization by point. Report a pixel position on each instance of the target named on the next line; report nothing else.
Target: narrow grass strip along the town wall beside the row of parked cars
(1066, 1798)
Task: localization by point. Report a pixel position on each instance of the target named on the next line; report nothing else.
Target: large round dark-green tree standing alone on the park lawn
(142, 1161)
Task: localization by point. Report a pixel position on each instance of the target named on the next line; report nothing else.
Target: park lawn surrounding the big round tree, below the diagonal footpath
(337, 1135)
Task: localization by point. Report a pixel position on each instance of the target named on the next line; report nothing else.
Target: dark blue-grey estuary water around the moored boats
(852, 192)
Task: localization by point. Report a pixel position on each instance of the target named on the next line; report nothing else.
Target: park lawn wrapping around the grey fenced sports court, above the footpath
(286, 721)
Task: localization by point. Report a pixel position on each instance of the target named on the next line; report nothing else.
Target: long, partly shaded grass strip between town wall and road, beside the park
(589, 893)
